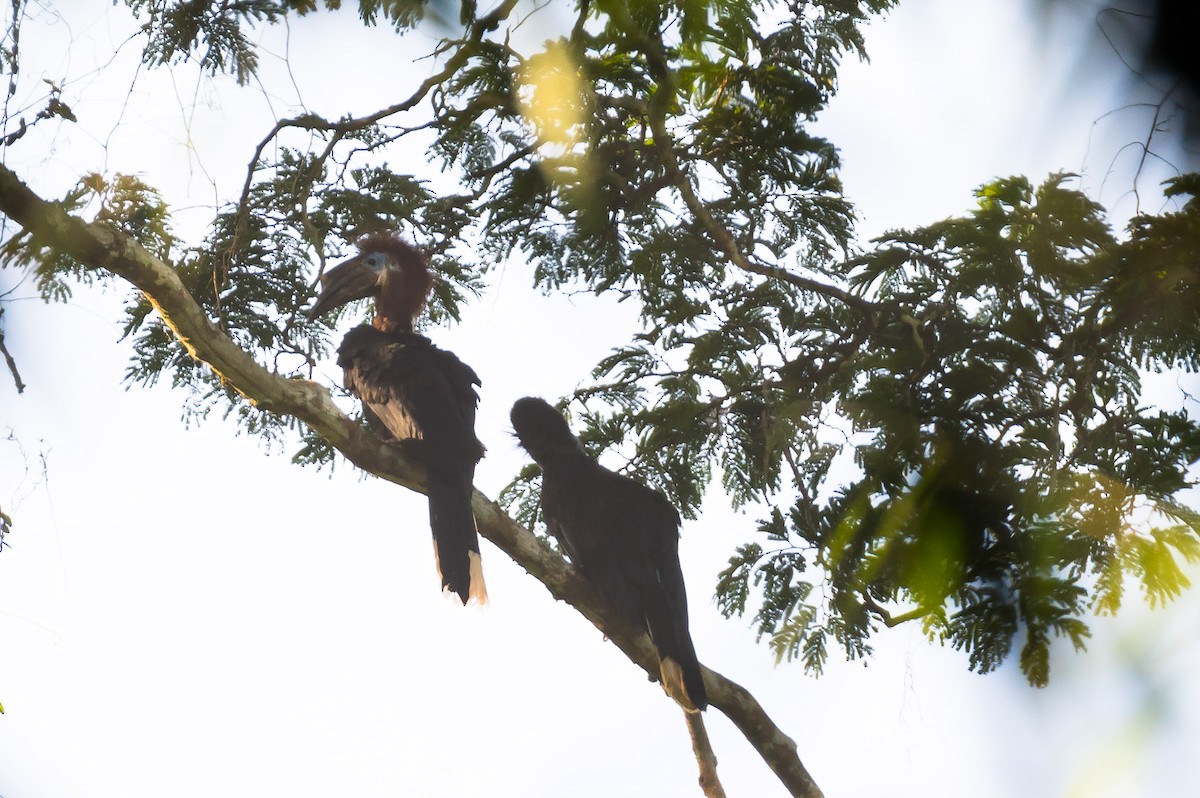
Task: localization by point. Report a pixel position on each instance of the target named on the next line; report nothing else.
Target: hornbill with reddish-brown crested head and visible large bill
(423, 397)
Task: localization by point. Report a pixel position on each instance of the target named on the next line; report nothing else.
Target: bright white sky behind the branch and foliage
(183, 613)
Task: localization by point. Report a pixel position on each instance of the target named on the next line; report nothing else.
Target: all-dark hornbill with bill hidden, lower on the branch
(622, 536)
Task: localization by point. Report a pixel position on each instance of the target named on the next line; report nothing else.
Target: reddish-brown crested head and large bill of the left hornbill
(388, 269)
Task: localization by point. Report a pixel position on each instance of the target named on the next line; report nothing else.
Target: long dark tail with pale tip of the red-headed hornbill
(455, 538)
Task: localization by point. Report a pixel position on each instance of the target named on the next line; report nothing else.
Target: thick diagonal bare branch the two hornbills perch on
(101, 248)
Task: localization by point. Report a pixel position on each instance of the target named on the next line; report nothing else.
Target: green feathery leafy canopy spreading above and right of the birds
(949, 427)
